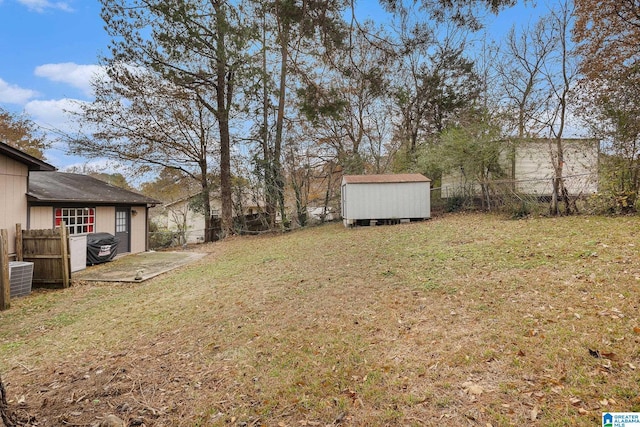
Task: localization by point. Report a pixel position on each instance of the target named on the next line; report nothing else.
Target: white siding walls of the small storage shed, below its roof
(363, 201)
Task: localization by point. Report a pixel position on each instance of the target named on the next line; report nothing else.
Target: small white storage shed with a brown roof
(373, 199)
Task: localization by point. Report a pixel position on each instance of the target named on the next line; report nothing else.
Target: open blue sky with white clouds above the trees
(49, 50)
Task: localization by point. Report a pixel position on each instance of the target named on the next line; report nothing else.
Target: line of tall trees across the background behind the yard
(276, 100)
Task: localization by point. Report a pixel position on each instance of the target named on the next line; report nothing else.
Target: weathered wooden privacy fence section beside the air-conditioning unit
(48, 250)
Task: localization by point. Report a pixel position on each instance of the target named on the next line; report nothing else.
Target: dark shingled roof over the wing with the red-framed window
(61, 187)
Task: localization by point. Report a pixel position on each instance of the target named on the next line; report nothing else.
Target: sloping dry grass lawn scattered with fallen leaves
(461, 320)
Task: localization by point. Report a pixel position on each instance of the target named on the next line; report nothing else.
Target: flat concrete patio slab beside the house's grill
(136, 267)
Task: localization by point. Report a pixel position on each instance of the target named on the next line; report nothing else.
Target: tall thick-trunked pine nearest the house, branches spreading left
(197, 45)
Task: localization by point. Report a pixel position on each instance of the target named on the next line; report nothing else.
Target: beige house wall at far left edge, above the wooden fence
(13, 199)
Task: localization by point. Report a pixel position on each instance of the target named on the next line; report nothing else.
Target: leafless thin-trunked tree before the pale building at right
(537, 73)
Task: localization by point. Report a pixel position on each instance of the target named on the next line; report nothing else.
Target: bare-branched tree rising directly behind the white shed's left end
(346, 103)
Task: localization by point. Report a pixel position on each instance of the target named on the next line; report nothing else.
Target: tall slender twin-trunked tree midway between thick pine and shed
(291, 30)
